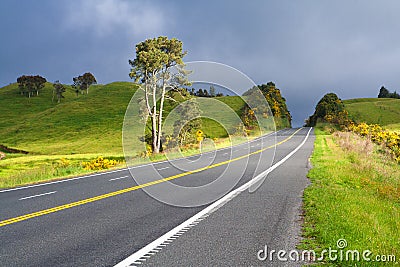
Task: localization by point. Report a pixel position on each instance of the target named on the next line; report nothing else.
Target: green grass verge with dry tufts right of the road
(355, 195)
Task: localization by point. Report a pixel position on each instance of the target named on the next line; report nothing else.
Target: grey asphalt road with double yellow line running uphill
(102, 219)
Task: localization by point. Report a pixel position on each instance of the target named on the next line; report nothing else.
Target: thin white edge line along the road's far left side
(124, 169)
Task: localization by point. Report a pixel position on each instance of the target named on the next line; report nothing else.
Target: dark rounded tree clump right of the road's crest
(329, 109)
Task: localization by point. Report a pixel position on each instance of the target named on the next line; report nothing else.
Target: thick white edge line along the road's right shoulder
(208, 210)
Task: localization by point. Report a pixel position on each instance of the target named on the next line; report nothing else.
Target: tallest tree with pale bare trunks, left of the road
(152, 68)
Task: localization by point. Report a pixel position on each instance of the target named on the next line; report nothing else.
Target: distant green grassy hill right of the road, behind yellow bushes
(382, 111)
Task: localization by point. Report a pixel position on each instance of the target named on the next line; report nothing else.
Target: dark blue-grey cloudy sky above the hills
(308, 48)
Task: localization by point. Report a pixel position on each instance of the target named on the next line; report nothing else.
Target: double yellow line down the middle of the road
(129, 189)
